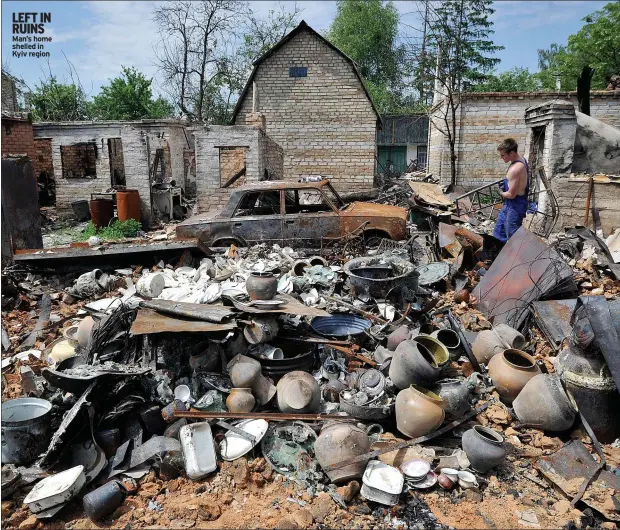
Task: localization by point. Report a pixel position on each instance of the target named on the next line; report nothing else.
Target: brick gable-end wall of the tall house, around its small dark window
(324, 122)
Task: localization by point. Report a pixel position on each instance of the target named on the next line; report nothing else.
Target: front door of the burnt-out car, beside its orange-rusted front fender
(309, 216)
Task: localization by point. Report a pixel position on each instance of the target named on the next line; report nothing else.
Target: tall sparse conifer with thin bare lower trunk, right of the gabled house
(460, 57)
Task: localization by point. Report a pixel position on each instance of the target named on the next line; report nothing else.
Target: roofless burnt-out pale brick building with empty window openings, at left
(92, 157)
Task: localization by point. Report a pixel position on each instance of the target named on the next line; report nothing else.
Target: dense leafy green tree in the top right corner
(596, 44)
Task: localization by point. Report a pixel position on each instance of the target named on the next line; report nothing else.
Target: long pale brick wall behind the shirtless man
(484, 120)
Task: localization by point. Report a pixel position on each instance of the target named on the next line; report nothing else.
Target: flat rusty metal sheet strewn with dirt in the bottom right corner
(570, 466)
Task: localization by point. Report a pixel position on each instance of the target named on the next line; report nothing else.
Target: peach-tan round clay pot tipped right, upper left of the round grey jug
(418, 411)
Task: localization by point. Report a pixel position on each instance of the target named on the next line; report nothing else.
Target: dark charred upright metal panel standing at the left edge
(20, 198)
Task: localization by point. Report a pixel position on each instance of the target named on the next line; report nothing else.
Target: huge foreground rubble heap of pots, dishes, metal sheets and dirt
(286, 388)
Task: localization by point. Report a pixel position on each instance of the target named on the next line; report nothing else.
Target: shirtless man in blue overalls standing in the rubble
(514, 189)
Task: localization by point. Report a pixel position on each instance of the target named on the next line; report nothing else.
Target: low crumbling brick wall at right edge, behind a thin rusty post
(571, 194)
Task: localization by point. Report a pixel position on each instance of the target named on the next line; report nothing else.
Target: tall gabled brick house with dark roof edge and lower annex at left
(310, 104)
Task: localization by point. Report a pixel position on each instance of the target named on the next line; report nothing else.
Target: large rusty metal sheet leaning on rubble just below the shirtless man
(526, 270)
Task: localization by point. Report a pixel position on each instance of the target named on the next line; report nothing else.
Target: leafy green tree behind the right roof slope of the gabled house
(367, 32)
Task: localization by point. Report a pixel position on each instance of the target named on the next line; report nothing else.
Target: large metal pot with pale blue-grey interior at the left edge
(25, 429)
